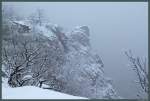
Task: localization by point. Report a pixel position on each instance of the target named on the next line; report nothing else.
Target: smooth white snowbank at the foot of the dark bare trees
(30, 92)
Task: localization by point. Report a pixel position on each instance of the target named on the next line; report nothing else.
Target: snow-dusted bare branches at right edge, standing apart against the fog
(140, 67)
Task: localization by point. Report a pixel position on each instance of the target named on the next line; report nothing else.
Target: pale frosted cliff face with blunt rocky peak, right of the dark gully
(83, 70)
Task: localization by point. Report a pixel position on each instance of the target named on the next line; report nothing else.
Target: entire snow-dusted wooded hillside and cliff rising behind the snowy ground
(44, 55)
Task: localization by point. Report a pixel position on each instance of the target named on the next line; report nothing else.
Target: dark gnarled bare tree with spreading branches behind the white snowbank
(19, 57)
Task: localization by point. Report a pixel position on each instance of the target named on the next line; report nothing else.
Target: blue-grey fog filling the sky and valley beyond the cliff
(114, 28)
